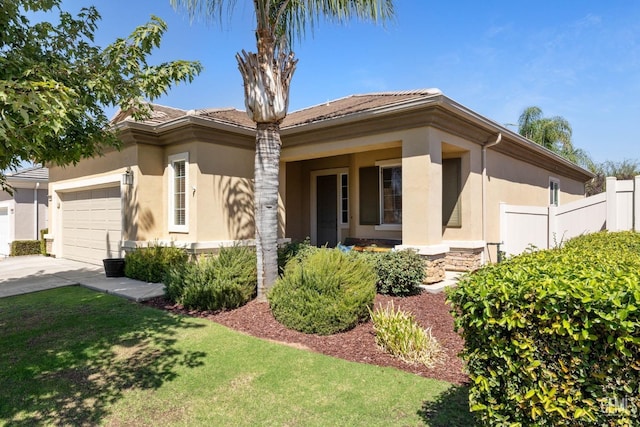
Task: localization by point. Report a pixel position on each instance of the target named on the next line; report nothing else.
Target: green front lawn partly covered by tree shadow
(71, 356)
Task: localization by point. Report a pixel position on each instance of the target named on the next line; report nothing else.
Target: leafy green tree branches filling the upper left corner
(55, 82)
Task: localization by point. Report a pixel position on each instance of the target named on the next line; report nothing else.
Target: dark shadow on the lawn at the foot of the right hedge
(450, 409)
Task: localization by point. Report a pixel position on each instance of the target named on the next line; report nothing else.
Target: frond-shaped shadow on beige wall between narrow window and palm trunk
(237, 196)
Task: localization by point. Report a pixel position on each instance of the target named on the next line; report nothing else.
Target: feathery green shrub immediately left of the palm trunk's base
(227, 280)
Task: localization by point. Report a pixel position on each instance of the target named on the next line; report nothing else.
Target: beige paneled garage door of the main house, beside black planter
(91, 224)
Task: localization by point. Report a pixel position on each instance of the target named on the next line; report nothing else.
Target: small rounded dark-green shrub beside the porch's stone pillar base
(399, 272)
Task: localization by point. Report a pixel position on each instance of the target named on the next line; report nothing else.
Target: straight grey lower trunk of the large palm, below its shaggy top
(266, 173)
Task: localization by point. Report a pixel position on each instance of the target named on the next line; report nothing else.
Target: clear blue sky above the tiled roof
(579, 59)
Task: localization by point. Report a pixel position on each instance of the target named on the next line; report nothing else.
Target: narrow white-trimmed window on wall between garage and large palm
(178, 185)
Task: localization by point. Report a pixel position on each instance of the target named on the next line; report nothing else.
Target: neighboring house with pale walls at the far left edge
(23, 214)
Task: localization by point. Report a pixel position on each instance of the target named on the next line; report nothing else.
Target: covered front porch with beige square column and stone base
(404, 190)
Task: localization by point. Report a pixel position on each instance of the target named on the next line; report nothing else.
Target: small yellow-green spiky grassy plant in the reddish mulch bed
(398, 333)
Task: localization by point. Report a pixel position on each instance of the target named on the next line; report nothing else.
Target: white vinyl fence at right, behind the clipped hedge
(524, 227)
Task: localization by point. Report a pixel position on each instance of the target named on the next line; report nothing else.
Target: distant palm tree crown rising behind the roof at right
(553, 133)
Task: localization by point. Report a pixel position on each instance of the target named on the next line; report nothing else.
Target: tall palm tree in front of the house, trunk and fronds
(267, 75)
